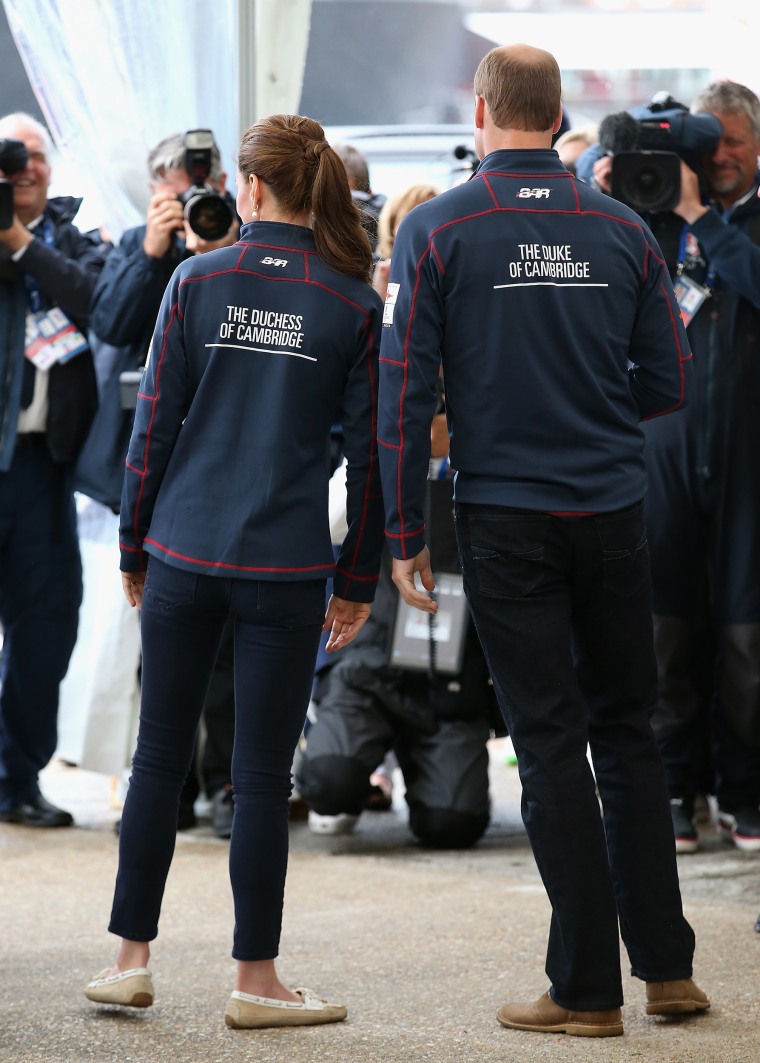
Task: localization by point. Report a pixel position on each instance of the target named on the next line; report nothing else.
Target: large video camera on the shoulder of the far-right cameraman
(648, 145)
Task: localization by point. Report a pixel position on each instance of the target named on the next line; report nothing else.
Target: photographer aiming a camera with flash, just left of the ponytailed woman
(125, 309)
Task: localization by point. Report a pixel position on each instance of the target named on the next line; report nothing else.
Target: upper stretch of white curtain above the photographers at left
(115, 77)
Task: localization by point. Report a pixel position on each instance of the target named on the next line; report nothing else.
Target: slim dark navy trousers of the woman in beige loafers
(278, 627)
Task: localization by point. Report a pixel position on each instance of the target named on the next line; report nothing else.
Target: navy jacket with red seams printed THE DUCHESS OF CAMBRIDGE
(259, 350)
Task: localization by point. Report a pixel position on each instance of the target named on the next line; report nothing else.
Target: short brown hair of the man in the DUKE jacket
(522, 88)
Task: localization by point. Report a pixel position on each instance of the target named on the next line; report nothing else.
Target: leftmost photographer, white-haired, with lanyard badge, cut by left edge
(48, 269)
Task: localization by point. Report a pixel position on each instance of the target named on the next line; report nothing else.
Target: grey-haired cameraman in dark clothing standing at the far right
(703, 503)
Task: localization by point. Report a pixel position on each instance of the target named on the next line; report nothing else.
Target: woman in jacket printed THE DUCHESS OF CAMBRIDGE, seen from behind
(259, 350)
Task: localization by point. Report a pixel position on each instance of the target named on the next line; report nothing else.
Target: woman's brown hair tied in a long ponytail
(291, 155)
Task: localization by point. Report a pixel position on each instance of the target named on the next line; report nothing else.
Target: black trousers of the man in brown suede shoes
(563, 609)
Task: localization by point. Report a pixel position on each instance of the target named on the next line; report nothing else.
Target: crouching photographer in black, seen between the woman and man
(428, 698)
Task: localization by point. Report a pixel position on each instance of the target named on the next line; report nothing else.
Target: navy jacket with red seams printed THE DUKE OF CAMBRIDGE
(552, 312)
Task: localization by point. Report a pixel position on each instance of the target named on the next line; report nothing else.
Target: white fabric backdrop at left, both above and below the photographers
(113, 78)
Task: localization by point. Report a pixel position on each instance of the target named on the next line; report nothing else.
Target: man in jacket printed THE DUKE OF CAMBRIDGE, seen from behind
(551, 310)
